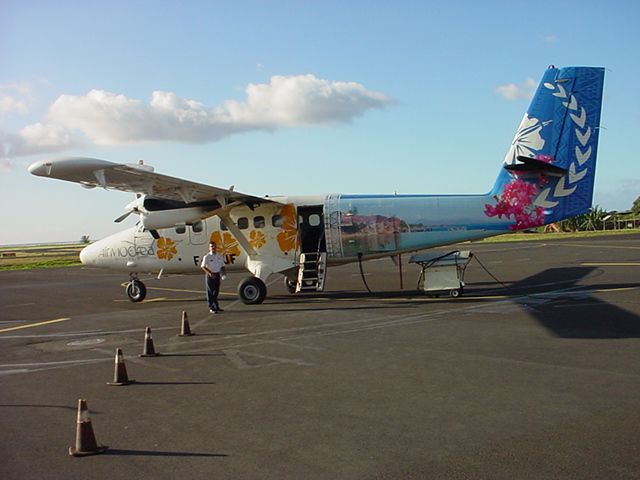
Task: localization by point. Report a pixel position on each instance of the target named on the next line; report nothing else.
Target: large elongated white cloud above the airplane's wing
(107, 118)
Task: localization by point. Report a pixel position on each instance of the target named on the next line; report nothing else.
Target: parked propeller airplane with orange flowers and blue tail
(547, 175)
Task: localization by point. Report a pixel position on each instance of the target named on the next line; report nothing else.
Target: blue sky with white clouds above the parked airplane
(436, 91)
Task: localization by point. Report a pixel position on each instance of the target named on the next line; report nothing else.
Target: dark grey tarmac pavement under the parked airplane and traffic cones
(534, 376)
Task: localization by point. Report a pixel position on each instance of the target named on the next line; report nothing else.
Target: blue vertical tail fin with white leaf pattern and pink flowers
(549, 171)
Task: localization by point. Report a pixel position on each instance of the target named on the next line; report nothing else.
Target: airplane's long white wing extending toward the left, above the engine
(92, 172)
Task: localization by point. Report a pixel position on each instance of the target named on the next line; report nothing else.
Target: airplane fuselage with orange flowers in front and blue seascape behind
(346, 227)
